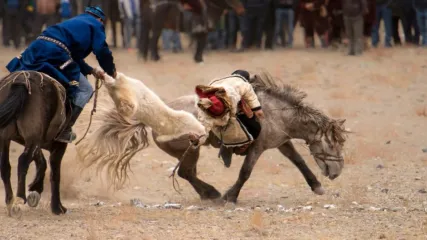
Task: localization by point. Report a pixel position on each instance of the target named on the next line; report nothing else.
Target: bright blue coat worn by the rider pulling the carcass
(82, 35)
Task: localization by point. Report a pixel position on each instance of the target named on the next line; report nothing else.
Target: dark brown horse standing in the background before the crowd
(159, 14)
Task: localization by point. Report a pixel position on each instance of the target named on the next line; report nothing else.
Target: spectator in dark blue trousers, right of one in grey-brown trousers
(383, 11)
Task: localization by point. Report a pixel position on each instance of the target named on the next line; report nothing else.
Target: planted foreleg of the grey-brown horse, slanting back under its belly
(254, 153)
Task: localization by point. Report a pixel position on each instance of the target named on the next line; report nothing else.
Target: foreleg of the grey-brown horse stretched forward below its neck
(290, 152)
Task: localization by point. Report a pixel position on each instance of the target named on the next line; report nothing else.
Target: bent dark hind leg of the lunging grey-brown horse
(188, 171)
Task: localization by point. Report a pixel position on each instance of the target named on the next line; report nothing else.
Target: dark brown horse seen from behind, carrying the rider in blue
(32, 113)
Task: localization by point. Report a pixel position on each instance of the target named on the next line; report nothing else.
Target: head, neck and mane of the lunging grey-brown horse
(325, 136)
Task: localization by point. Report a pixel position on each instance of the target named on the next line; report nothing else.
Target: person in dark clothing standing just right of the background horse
(252, 23)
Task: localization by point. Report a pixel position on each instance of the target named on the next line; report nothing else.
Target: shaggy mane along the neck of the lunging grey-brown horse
(303, 112)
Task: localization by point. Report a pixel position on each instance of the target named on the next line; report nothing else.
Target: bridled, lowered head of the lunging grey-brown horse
(326, 147)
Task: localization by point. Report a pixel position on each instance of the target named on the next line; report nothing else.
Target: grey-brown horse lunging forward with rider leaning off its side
(287, 117)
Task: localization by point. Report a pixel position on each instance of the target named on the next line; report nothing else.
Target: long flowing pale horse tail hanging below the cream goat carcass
(113, 145)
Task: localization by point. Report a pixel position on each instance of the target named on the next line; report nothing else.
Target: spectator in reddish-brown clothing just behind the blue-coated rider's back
(46, 13)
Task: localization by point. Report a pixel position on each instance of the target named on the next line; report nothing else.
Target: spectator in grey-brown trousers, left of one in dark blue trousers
(353, 11)
